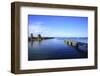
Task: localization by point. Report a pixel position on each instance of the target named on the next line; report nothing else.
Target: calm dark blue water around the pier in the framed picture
(55, 49)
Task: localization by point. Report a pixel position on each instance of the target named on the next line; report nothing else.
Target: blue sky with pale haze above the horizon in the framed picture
(57, 26)
